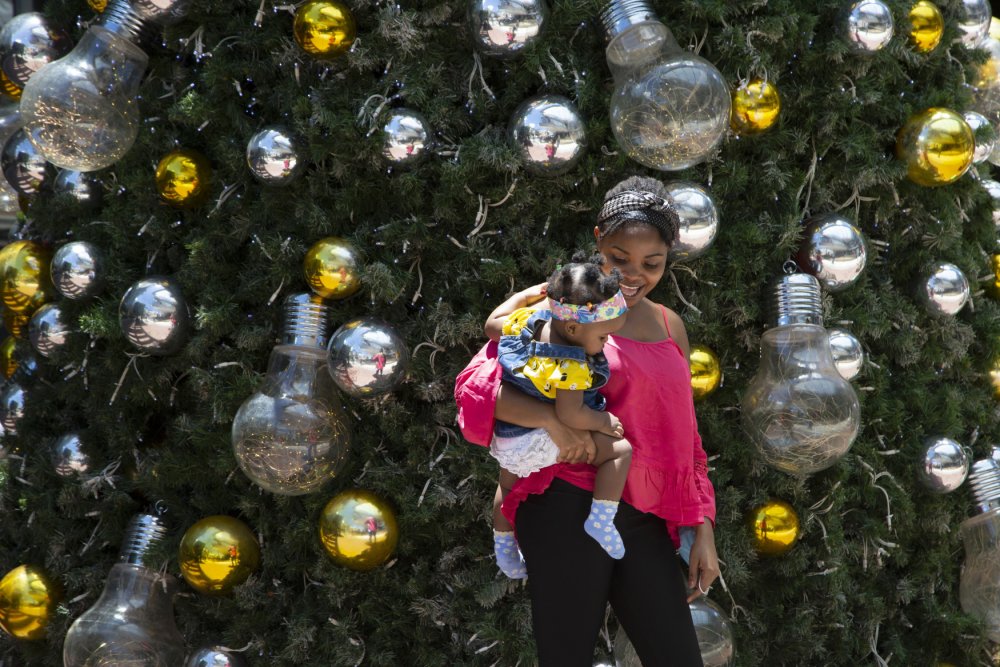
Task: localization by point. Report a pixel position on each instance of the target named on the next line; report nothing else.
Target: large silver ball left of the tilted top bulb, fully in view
(549, 134)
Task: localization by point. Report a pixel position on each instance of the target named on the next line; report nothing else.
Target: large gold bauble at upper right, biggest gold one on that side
(937, 146)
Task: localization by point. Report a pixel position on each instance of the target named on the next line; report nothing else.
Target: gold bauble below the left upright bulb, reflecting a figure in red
(358, 529)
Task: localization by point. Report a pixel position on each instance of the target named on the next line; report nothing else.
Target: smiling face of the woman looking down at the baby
(640, 254)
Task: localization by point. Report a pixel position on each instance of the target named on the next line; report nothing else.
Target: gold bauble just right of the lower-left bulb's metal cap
(217, 554)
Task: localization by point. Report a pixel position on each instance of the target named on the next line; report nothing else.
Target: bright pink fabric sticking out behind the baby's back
(476, 389)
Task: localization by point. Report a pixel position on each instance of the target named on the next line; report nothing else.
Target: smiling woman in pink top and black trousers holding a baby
(667, 489)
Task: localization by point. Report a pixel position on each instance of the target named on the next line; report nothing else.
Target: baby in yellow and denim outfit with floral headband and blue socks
(555, 354)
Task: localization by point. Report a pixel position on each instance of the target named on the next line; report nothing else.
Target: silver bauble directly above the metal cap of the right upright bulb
(833, 250)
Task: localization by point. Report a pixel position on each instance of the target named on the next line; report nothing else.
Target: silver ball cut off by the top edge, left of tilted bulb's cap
(503, 28)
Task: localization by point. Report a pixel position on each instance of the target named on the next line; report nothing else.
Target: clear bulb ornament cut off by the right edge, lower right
(979, 587)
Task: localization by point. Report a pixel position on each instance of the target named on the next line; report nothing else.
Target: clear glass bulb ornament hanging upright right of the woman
(798, 410)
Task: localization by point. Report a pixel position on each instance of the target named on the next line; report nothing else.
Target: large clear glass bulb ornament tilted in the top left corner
(81, 111)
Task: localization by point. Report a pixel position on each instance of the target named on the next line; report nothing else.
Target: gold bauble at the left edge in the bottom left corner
(27, 600)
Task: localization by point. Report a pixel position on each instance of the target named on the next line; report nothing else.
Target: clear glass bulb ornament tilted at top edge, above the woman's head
(669, 108)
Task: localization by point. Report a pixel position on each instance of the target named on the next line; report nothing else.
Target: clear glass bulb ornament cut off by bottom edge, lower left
(132, 623)
